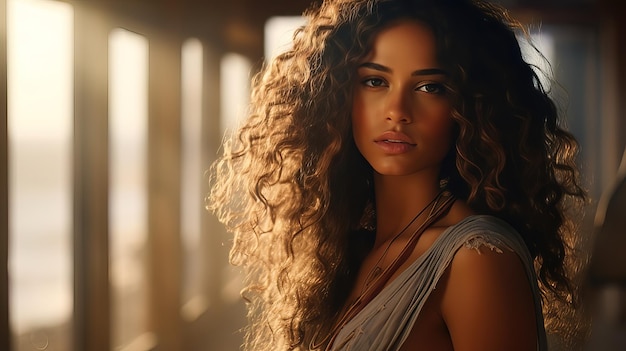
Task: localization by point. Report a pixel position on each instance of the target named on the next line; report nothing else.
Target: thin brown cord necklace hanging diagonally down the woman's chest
(438, 206)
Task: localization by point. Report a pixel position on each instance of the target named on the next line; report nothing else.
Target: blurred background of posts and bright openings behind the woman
(114, 110)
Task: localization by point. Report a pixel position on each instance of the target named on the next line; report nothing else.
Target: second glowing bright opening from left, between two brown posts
(128, 205)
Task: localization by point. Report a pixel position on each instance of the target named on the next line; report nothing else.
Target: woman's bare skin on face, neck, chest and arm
(484, 301)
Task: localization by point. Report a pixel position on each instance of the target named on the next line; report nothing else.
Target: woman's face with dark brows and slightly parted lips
(401, 114)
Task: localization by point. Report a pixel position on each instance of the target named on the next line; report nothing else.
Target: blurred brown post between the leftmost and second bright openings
(92, 305)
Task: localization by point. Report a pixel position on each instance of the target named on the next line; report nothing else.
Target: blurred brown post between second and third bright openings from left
(164, 160)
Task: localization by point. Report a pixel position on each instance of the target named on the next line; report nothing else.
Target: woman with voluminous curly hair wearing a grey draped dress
(400, 174)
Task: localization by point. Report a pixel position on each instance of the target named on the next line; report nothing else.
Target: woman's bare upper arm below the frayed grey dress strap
(487, 302)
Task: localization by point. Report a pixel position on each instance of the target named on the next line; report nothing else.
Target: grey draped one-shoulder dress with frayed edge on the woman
(385, 323)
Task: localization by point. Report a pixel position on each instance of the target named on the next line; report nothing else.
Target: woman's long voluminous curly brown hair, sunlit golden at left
(293, 188)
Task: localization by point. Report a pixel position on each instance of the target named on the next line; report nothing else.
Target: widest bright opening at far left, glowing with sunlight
(40, 121)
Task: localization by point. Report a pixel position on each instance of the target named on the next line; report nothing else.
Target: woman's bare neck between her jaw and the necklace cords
(399, 199)
